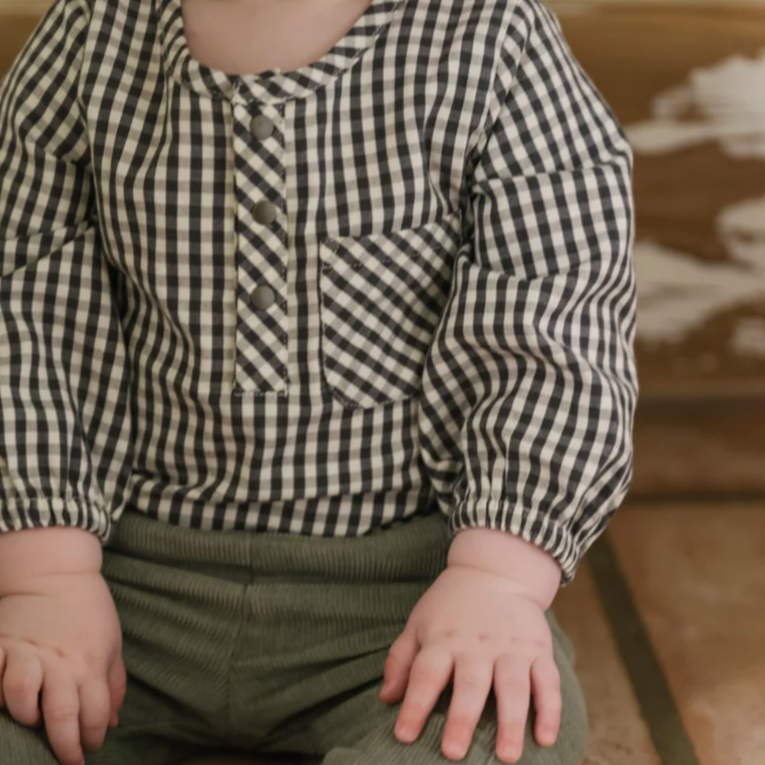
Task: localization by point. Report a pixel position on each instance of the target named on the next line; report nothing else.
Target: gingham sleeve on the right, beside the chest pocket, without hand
(530, 383)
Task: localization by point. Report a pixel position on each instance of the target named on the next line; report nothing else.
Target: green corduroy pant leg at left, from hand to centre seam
(178, 628)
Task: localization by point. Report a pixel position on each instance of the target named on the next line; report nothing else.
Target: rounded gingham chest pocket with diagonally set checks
(382, 296)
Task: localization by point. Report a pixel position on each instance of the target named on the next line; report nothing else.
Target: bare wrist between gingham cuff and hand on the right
(501, 553)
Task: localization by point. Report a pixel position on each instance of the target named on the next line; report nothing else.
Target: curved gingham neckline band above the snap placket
(269, 86)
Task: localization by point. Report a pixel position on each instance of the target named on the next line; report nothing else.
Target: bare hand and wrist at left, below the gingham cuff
(60, 639)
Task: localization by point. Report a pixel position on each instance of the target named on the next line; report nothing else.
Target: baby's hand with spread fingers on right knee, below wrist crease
(476, 629)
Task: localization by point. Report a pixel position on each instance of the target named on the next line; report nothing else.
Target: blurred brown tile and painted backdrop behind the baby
(667, 611)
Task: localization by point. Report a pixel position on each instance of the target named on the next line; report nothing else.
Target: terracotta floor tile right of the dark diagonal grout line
(697, 578)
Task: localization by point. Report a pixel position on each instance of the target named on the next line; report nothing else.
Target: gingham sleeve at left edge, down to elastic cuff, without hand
(64, 388)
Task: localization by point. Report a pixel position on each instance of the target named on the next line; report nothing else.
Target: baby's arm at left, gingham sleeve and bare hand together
(64, 401)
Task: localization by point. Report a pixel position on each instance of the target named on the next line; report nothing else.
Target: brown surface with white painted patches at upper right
(688, 84)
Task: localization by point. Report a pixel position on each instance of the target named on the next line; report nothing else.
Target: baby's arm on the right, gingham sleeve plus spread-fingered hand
(530, 385)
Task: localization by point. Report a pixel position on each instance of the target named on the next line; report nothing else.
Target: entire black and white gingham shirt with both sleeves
(450, 257)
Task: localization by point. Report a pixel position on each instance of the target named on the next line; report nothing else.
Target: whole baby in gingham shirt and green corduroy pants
(316, 380)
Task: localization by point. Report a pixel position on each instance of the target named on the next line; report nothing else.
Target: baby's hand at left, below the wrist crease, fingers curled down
(61, 654)
